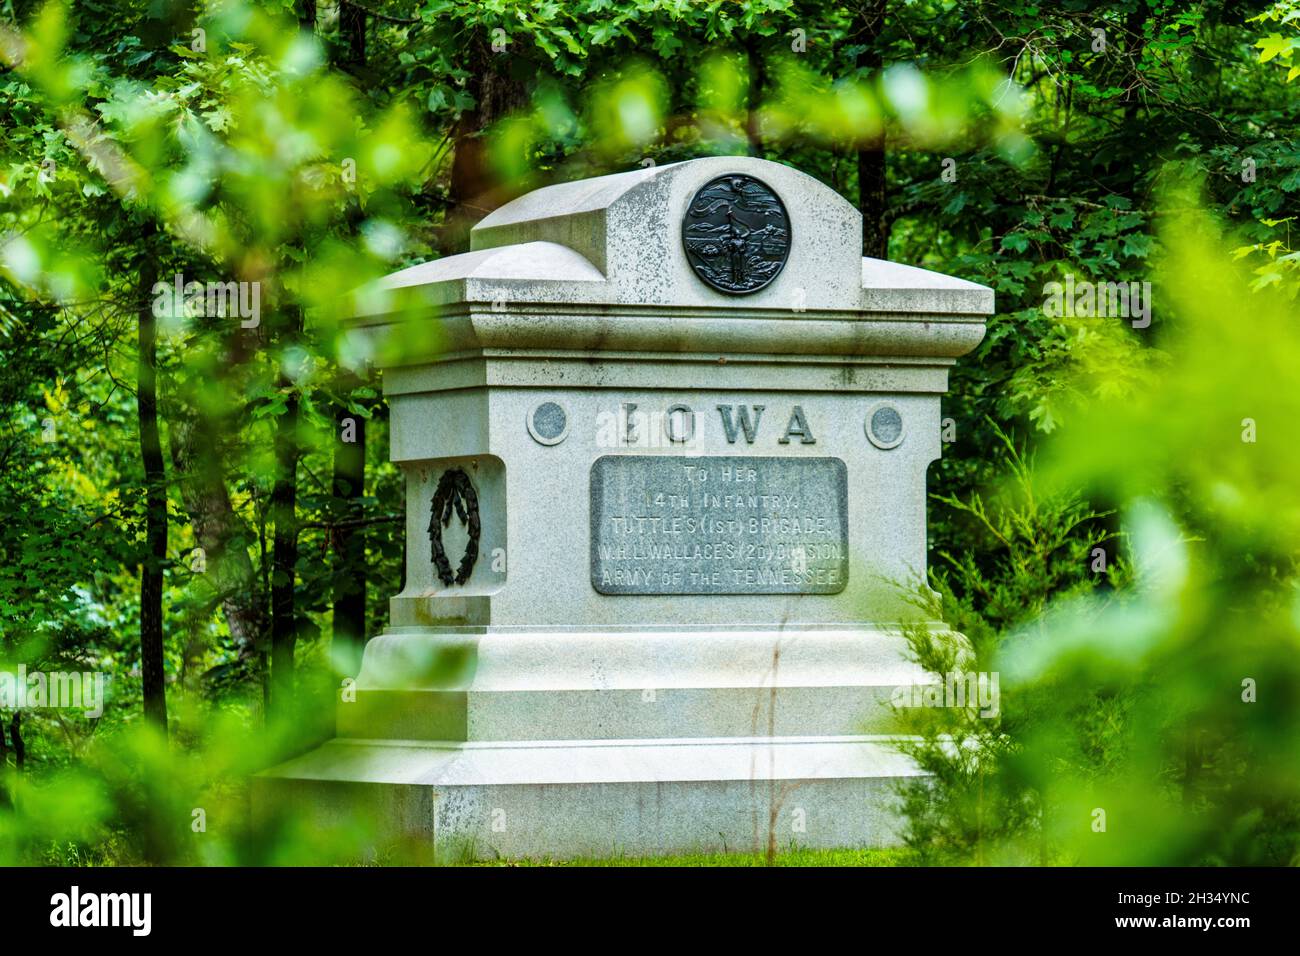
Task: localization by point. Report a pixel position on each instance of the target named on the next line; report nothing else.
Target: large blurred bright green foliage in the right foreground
(1152, 721)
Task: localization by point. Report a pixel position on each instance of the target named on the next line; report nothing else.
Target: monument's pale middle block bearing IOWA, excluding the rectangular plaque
(538, 511)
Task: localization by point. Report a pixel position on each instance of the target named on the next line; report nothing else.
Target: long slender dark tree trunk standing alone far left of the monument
(155, 511)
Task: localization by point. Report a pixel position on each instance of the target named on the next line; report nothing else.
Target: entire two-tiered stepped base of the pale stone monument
(513, 745)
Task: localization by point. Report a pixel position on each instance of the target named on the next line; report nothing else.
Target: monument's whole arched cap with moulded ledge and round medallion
(669, 258)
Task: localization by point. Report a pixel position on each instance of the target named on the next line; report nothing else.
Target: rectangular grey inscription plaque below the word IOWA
(722, 525)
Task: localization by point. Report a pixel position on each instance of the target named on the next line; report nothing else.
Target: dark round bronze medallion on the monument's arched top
(736, 235)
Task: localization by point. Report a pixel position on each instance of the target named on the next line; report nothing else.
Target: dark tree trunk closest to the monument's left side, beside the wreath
(349, 542)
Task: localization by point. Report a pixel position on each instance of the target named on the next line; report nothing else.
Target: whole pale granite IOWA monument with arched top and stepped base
(665, 438)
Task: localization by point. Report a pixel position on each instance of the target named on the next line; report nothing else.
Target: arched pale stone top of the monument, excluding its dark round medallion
(617, 241)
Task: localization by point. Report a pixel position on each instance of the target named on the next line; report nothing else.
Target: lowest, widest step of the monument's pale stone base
(603, 798)
